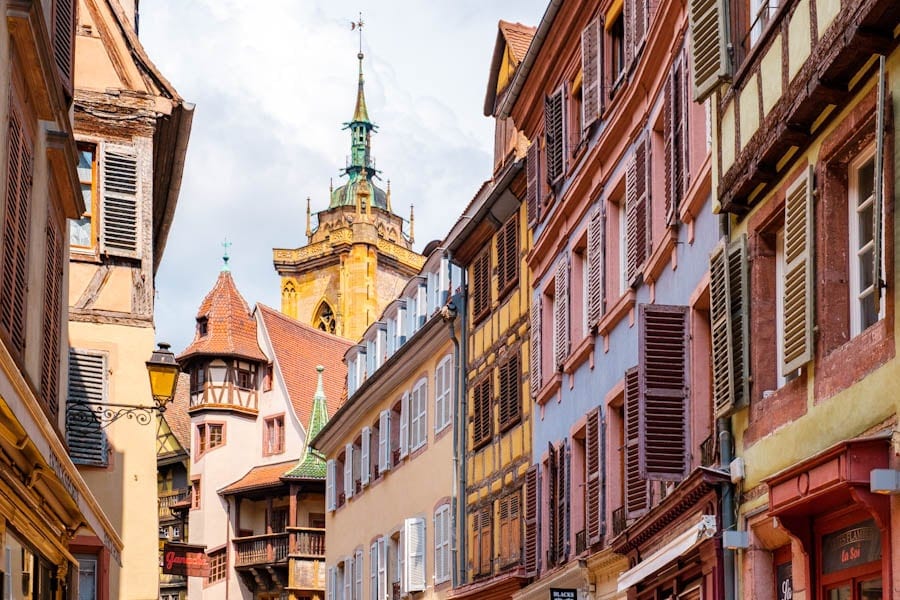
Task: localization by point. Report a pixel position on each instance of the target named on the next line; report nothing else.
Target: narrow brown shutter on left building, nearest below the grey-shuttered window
(52, 320)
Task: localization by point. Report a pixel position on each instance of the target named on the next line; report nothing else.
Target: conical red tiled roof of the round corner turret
(230, 329)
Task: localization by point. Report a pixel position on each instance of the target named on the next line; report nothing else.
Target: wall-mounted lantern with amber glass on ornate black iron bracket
(163, 371)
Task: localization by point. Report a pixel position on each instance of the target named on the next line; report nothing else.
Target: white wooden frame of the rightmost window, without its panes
(854, 205)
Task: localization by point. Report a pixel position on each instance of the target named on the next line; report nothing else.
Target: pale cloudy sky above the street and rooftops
(273, 82)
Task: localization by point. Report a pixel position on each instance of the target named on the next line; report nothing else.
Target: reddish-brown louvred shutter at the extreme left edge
(14, 266)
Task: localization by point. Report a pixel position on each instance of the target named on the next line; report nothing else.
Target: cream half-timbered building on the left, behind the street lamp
(132, 130)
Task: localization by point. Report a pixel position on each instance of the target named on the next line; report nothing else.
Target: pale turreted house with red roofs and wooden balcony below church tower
(259, 383)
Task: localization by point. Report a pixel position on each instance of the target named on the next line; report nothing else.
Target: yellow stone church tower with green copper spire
(358, 256)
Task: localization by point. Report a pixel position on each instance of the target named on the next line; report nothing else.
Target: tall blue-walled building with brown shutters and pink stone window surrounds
(617, 204)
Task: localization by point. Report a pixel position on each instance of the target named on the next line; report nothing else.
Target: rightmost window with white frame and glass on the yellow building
(864, 312)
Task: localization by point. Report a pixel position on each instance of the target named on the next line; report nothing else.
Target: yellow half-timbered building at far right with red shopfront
(804, 151)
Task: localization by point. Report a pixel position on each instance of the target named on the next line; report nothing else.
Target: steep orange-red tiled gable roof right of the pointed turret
(299, 348)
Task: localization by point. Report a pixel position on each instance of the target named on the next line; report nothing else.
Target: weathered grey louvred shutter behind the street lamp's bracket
(87, 384)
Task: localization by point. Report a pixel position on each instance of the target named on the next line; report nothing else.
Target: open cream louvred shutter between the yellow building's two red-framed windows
(799, 287)
